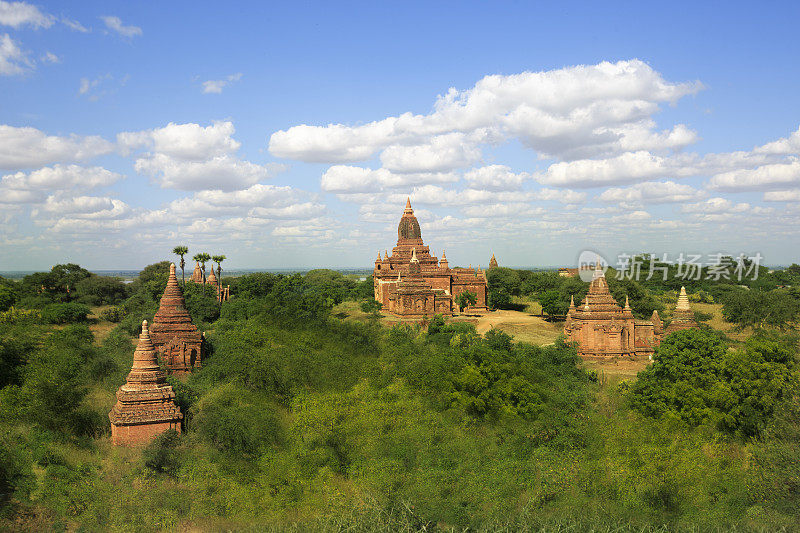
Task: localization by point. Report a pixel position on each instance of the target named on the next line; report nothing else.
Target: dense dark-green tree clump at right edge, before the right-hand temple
(696, 378)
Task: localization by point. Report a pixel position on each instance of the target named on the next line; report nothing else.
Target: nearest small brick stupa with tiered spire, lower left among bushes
(145, 404)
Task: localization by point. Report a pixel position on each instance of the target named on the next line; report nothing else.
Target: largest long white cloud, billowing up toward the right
(575, 111)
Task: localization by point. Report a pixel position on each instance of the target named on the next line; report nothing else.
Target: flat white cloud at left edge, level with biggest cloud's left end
(29, 148)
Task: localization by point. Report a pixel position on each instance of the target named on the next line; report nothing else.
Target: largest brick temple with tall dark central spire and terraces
(413, 283)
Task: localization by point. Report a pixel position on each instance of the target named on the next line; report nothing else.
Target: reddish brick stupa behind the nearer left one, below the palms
(176, 339)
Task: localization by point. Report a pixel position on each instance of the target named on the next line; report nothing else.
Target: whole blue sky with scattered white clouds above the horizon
(270, 132)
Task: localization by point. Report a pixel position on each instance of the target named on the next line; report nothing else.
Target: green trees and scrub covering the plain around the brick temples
(300, 420)
